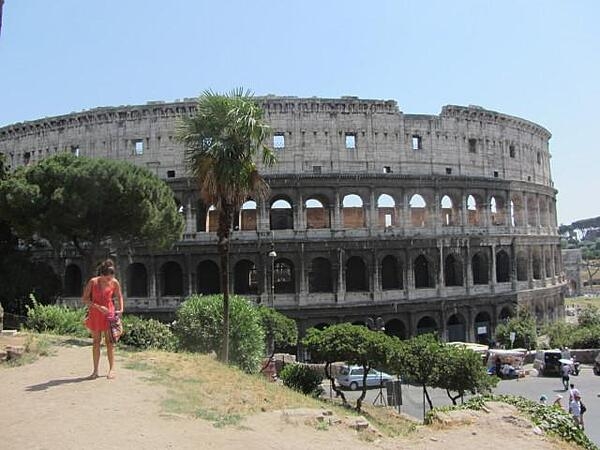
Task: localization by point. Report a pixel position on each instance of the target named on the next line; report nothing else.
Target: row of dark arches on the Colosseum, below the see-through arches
(321, 276)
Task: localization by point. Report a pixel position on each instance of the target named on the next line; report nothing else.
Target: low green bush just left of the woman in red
(56, 319)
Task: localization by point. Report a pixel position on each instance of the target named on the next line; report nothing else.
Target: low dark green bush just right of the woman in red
(147, 333)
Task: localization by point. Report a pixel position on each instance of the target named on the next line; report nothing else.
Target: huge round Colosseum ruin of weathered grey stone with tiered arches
(441, 223)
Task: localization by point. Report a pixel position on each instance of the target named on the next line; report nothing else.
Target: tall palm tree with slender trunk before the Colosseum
(222, 140)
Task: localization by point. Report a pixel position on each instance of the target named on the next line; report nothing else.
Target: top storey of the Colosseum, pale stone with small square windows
(313, 135)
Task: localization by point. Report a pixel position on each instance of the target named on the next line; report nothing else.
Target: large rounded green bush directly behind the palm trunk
(199, 325)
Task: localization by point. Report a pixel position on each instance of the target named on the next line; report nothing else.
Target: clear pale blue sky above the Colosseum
(535, 59)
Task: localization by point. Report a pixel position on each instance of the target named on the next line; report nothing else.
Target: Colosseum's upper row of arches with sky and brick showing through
(421, 212)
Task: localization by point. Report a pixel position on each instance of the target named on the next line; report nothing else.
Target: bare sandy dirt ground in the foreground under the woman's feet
(50, 405)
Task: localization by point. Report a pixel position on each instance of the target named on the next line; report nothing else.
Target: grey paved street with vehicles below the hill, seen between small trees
(528, 387)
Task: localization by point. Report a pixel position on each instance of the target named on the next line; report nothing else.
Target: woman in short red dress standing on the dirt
(98, 296)
